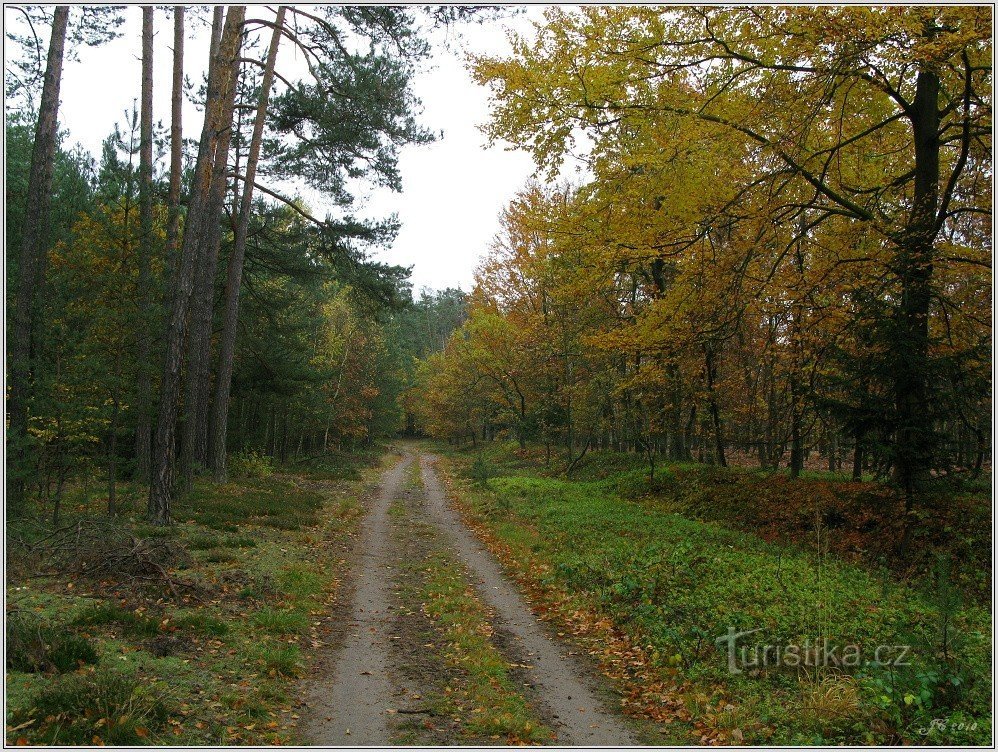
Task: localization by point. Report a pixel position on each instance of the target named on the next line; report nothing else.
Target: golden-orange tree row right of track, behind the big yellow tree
(595, 324)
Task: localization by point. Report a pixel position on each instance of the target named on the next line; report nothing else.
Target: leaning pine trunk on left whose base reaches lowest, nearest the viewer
(198, 224)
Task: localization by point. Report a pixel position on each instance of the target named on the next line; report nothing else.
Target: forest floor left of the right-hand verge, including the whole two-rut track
(344, 603)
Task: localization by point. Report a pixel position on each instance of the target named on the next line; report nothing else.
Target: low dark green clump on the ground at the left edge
(33, 646)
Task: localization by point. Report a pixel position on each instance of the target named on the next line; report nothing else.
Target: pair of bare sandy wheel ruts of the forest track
(371, 674)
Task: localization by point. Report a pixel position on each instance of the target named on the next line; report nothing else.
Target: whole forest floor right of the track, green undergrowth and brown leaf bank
(648, 577)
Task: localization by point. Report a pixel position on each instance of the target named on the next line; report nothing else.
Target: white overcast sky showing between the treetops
(453, 189)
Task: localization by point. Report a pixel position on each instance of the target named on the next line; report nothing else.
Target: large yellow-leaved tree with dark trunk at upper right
(829, 164)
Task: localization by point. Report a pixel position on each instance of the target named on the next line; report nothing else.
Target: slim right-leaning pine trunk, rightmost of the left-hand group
(227, 344)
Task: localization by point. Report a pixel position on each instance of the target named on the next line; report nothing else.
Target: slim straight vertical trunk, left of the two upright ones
(143, 387)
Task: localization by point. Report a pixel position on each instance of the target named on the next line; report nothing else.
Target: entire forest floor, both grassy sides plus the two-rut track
(469, 597)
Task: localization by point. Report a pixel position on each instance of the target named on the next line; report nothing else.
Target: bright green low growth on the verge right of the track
(672, 584)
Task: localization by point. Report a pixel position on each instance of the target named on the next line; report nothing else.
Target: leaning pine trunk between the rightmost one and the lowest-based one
(194, 441)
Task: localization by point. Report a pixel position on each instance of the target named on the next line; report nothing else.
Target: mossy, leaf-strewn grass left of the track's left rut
(216, 665)
